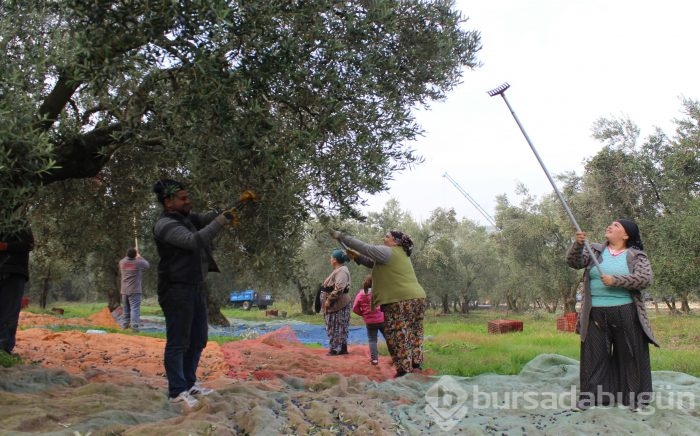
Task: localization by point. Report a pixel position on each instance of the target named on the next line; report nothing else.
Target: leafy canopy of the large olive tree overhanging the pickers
(302, 101)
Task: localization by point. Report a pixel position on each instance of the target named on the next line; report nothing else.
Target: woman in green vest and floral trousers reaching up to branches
(397, 291)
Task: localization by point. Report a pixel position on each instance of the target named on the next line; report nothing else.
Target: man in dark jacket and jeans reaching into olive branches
(184, 242)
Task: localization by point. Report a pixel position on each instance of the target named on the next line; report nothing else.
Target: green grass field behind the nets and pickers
(461, 345)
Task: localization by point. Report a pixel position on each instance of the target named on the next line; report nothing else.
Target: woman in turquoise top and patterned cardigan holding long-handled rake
(613, 324)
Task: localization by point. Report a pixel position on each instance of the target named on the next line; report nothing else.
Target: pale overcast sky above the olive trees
(568, 63)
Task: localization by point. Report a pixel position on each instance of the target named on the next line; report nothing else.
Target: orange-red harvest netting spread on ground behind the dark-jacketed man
(277, 354)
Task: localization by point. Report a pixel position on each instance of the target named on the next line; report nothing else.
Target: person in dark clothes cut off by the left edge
(14, 274)
